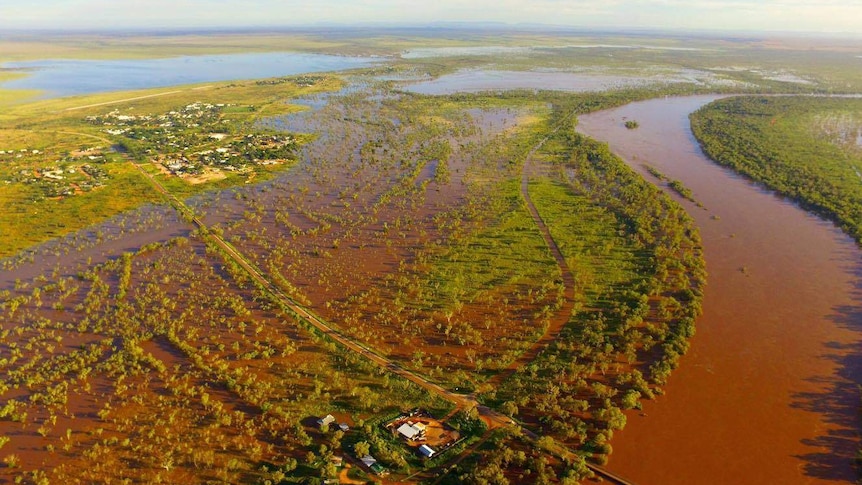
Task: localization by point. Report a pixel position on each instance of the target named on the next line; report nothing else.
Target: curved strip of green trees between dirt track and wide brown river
(637, 260)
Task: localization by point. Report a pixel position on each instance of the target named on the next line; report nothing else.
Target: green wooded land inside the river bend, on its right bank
(805, 148)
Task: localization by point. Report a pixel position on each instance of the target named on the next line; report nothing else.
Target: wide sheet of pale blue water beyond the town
(59, 78)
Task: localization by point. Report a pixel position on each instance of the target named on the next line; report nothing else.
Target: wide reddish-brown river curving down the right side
(768, 392)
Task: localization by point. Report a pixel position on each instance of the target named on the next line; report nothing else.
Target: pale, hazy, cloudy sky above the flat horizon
(817, 16)
